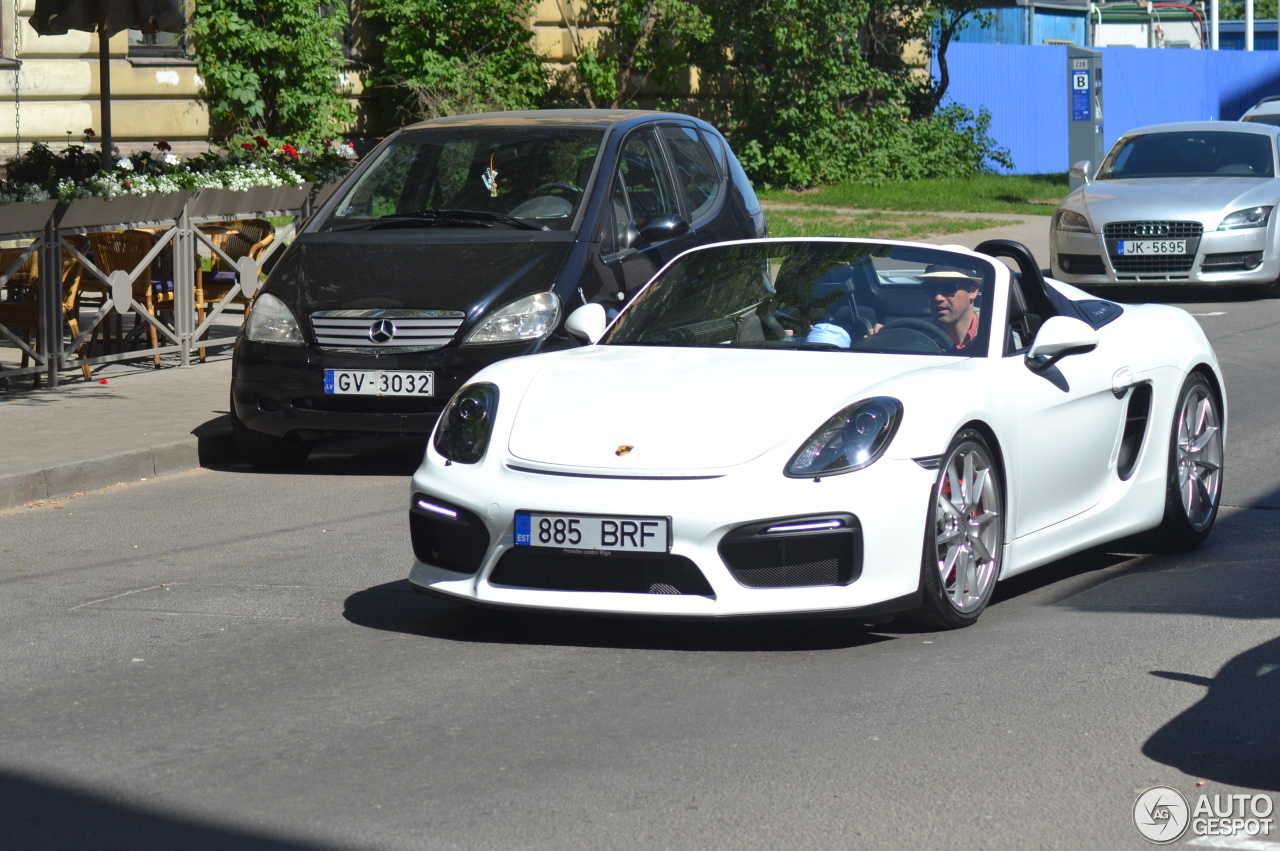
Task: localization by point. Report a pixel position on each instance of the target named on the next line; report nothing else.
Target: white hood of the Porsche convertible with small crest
(625, 409)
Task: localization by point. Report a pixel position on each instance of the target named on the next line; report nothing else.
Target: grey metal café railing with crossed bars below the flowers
(184, 226)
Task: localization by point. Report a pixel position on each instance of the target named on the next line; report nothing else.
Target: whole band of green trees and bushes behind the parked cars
(808, 91)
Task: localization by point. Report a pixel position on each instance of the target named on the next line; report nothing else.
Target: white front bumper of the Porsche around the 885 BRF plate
(885, 506)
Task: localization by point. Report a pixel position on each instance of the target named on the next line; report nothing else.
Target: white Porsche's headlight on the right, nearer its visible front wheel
(851, 441)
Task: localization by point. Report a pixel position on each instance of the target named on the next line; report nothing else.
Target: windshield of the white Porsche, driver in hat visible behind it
(822, 295)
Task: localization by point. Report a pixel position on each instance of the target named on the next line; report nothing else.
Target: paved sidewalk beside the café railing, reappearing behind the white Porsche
(132, 422)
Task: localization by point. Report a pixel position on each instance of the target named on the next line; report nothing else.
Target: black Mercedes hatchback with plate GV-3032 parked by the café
(463, 241)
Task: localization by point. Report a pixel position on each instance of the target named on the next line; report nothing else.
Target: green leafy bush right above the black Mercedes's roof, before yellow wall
(450, 57)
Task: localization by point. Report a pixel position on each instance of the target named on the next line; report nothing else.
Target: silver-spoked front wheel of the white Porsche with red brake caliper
(964, 541)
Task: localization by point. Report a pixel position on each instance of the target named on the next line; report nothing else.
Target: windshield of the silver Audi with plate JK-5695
(1190, 154)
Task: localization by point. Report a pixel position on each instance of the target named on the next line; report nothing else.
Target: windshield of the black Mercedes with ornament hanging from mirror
(473, 177)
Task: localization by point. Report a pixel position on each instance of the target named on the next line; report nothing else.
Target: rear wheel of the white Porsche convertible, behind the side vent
(1194, 486)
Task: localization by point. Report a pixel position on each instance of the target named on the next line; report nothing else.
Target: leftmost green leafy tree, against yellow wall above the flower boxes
(272, 70)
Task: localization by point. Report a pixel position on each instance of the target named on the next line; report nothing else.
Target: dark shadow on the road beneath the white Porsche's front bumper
(395, 607)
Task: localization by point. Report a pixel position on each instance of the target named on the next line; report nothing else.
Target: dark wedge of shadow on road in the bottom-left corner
(38, 815)
